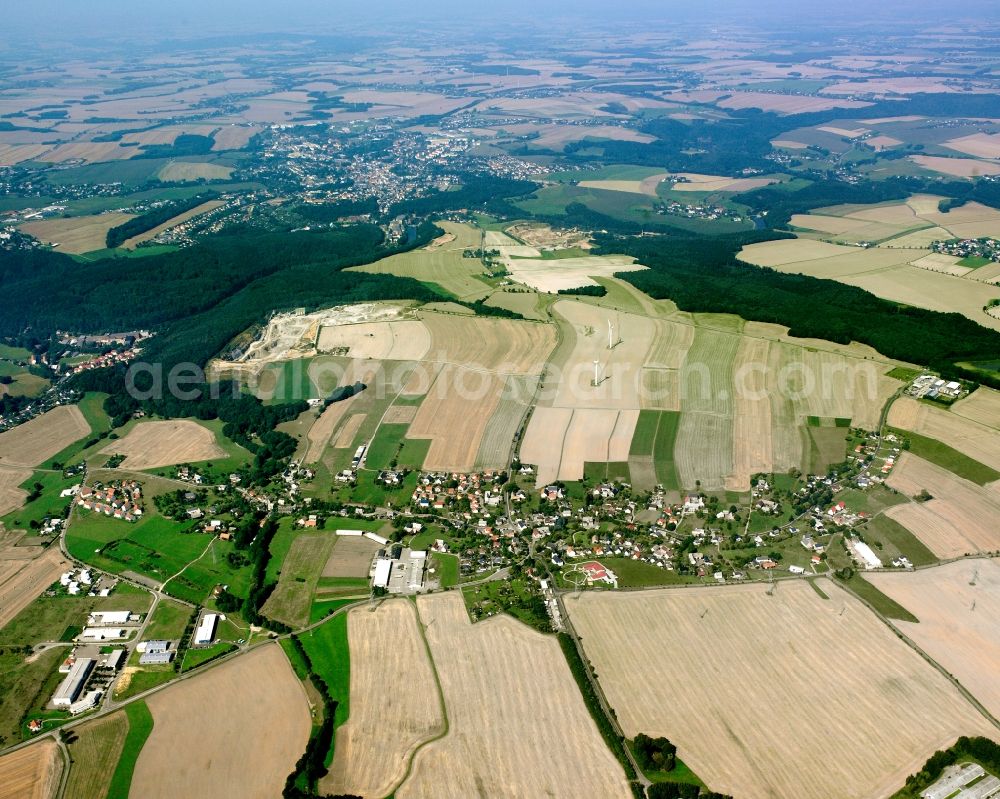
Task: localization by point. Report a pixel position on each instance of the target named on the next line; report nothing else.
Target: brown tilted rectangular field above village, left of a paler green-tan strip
(454, 414)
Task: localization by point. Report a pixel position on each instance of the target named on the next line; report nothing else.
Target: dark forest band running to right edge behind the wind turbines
(702, 275)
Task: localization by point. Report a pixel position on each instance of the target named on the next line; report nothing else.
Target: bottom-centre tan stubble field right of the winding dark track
(517, 725)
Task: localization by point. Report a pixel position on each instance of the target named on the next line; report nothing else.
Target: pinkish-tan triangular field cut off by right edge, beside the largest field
(957, 604)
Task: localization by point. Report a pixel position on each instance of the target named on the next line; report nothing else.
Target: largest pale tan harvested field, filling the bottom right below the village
(727, 673)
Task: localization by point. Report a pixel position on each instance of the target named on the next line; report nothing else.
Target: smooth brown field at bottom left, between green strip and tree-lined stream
(233, 731)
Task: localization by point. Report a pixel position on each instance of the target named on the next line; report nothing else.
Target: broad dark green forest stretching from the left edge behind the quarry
(213, 290)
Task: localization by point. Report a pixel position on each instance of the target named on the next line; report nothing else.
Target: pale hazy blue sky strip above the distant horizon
(61, 20)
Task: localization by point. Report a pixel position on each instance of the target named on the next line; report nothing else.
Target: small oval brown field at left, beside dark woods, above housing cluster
(149, 445)
